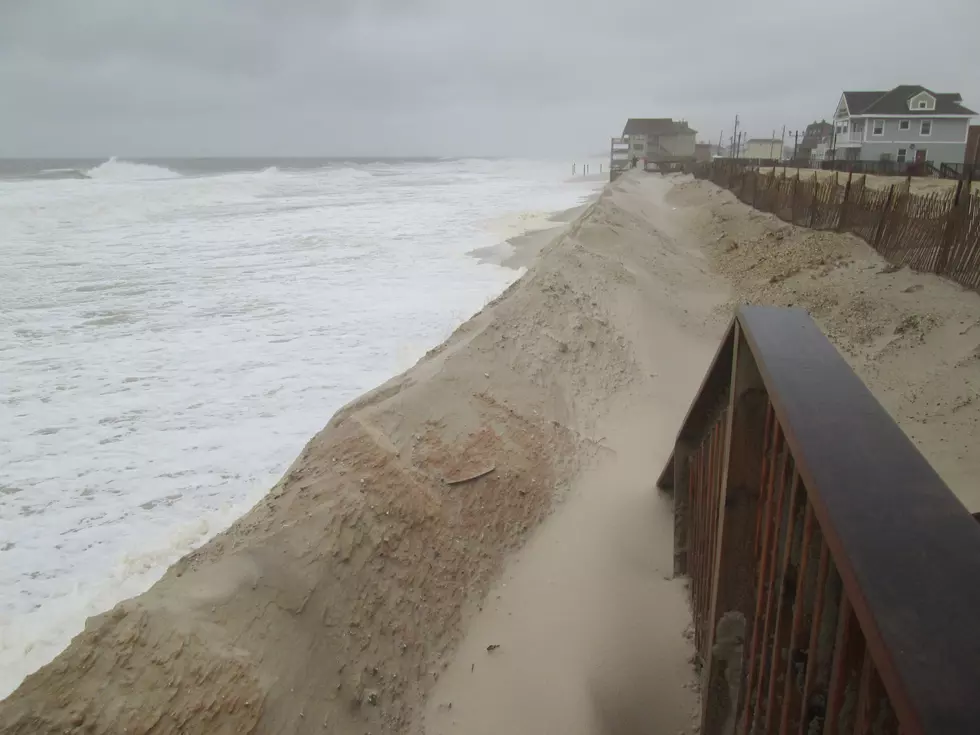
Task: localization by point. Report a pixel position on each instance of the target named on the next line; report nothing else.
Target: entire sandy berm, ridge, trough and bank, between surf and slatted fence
(477, 545)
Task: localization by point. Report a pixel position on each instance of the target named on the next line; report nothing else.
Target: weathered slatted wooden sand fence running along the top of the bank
(936, 233)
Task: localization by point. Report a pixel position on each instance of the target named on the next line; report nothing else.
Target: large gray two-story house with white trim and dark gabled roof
(906, 124)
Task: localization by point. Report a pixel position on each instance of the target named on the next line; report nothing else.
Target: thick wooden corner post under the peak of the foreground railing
(733, 587)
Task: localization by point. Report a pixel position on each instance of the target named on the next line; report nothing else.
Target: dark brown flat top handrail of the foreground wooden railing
(907, 551)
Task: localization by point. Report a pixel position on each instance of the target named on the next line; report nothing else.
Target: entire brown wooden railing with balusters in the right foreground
(834, 577)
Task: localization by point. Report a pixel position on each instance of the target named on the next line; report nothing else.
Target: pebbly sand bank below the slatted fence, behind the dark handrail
(913, 338)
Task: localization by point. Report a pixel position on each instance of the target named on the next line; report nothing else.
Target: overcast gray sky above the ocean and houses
(449, 77)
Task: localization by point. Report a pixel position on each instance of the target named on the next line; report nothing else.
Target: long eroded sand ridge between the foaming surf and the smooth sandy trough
(335, 603)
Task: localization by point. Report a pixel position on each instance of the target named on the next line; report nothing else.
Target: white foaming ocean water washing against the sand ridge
(172, 332)
